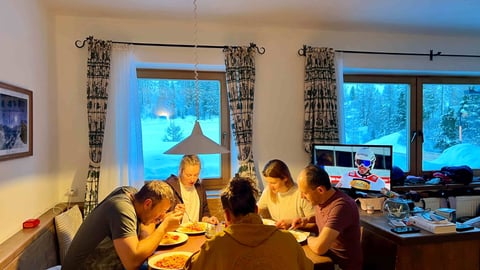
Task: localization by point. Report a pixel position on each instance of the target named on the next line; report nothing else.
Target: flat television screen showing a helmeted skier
(366, 168)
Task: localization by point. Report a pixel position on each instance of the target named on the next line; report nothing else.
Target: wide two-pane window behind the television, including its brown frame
(431, 122)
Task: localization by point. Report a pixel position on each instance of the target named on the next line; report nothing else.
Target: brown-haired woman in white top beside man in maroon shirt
(281, 200)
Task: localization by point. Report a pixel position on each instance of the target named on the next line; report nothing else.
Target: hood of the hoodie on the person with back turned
(250, 231)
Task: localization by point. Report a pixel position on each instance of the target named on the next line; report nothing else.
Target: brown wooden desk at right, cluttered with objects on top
(385, 250)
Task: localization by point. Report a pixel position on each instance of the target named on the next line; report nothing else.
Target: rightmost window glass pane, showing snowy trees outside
(451, 125)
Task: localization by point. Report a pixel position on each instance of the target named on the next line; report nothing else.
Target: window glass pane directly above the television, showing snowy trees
(377, 113)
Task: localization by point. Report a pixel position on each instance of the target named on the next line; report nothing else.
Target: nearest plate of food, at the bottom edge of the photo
(174, 260)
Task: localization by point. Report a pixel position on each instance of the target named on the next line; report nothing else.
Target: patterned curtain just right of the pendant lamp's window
(240, 66)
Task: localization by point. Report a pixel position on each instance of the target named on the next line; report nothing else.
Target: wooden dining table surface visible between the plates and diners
(195, 242)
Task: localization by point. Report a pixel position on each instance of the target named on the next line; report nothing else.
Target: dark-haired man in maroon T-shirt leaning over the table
(336, 216)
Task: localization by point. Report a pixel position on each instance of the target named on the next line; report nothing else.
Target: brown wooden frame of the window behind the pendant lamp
(225, 166)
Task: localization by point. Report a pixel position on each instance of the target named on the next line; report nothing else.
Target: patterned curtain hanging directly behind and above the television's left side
(320, 98)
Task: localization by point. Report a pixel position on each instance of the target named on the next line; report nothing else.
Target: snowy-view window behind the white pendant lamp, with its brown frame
(169, 109)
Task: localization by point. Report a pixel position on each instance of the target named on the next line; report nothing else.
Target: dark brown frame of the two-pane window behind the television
(415, 115)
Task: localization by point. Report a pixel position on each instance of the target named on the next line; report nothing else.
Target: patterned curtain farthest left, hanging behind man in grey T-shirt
(98, 72)
